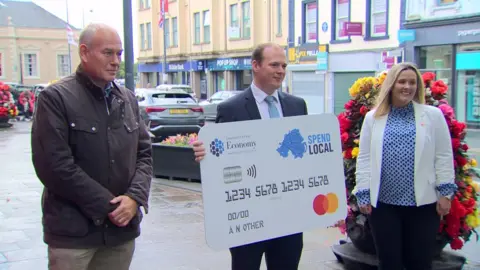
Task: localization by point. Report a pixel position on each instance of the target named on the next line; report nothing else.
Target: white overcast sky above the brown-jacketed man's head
(103, 11)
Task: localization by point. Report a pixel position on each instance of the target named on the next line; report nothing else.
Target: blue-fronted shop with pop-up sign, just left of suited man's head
(230, 73)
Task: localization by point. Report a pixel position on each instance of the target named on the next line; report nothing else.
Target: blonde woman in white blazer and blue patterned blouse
(405, 174)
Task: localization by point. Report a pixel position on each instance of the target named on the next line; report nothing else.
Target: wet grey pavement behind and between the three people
(172, 233)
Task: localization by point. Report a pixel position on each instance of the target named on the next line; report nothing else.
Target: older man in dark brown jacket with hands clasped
(92, 152)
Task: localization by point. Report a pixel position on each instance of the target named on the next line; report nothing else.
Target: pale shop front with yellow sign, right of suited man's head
(306, 75)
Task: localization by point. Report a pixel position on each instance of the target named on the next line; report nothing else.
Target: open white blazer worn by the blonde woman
(433, 154)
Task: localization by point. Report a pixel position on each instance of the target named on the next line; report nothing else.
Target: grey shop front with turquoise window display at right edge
(452, 52)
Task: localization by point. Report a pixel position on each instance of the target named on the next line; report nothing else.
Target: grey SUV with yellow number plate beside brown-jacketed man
(168, 113)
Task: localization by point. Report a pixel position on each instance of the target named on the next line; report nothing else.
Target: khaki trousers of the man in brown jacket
(104, 258)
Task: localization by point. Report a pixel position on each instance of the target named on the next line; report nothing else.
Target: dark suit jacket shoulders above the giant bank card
(243, 107)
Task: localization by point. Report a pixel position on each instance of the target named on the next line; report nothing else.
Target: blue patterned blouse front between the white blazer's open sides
(398, 158)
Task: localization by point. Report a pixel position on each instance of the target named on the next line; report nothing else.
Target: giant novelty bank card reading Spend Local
(264, 179)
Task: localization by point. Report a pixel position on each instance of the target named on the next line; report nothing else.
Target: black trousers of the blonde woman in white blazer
(404, 236)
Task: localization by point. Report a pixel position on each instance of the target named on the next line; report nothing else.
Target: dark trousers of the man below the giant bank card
(280, 253)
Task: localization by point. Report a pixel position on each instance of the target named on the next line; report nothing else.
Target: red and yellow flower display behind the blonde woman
(457, 227)
